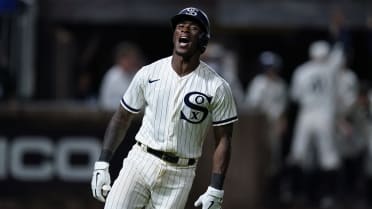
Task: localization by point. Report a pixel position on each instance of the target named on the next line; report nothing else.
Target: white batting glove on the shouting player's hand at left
(101, 181)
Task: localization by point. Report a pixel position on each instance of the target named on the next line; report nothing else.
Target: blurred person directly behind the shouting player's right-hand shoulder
(224, 62)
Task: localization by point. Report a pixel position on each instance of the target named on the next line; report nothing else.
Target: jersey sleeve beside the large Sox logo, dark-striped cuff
(224, 108)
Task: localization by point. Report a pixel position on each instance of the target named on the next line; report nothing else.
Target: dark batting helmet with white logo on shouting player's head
(200, 17)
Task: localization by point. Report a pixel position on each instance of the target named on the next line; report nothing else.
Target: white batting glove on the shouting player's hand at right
(211, 199)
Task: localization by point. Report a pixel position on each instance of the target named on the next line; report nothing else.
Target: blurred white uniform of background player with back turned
(314, 88)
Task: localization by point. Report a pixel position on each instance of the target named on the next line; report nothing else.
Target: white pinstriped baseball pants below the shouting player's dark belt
(146, 181)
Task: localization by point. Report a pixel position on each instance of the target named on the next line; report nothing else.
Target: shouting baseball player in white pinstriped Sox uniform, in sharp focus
(181, 97)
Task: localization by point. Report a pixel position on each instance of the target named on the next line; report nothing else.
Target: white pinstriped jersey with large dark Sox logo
(179, 110)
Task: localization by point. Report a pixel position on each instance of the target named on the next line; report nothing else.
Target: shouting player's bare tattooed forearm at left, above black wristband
(115, 133)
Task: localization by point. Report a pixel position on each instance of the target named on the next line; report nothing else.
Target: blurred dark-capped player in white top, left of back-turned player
(267, 93)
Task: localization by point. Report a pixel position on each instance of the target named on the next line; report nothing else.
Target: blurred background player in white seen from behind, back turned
(313, 87)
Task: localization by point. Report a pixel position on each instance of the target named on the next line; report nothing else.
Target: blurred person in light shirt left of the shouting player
(128, 60)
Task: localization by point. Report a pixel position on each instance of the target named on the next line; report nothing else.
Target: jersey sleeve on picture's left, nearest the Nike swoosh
(133, 99)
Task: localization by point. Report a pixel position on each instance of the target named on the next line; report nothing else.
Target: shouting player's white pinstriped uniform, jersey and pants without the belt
(178, 113)
